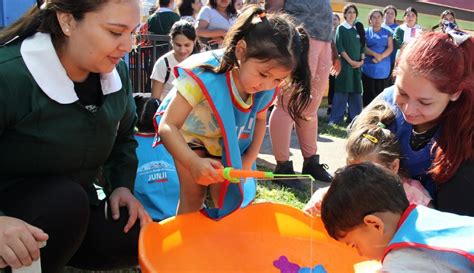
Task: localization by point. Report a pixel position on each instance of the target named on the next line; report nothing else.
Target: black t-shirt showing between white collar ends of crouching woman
(89, 92)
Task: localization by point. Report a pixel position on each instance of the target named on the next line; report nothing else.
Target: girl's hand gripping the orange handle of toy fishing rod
(204, 171)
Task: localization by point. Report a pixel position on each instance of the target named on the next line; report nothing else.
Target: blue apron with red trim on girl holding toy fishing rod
(237, 125)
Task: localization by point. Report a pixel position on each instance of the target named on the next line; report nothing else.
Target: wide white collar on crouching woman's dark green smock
(43, 63)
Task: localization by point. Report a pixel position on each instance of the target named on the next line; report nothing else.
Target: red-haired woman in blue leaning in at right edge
(433, 101)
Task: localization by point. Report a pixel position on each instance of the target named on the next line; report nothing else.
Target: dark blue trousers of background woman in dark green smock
(339, 102)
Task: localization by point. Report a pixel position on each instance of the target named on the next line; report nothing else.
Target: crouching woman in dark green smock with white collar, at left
(67, 119)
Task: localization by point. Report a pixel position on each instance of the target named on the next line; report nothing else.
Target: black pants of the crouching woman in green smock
(79, 234)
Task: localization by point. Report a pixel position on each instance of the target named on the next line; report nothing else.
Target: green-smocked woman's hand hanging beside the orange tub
(122, 197)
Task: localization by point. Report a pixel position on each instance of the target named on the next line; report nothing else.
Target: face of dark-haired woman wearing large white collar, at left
(99, 41)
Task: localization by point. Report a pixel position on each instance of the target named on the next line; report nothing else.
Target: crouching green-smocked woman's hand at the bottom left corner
(19, 242)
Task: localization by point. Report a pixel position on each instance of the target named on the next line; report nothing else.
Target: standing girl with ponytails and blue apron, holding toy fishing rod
(217, 117)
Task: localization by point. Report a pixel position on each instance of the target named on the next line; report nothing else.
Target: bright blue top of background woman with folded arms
(377, 42)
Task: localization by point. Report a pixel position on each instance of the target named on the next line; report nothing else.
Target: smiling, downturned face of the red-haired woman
(420, 102)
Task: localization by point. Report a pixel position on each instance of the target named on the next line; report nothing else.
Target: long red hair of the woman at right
(450, 68)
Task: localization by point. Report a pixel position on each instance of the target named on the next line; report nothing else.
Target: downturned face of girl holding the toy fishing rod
(256, 75)
